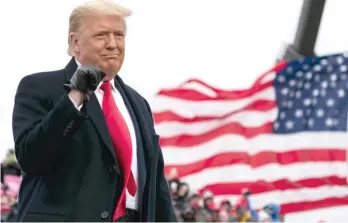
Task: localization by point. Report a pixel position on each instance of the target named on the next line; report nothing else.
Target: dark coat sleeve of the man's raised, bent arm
(40, 128)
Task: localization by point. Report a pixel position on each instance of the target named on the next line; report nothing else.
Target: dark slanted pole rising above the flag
(307, 31)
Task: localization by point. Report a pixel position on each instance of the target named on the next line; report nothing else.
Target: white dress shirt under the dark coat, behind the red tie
(131, 202)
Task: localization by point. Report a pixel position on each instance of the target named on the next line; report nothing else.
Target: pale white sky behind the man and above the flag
(225, 43)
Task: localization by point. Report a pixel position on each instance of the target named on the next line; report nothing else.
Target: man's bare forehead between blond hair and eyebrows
(104, 22)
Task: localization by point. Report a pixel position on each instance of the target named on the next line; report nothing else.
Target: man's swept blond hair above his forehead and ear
(95, 7)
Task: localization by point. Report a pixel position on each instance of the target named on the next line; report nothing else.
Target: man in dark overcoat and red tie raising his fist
(87, 147)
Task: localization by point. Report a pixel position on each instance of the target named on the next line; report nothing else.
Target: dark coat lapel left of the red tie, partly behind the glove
(93, 111)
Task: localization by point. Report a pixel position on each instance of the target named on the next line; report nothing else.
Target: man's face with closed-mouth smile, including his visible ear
(101, 42)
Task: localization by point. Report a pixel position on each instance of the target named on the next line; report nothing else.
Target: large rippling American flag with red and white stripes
(285, 138)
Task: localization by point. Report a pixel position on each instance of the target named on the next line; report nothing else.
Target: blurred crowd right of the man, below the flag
(201, 207)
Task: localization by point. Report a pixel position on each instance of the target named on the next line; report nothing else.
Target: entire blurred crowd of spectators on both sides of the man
(189, 206)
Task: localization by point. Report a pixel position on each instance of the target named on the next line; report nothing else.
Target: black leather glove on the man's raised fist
(86, 80)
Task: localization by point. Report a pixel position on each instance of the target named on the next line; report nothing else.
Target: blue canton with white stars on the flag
(312, 95)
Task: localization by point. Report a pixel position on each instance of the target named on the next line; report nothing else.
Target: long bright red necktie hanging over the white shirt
(122, 144)
